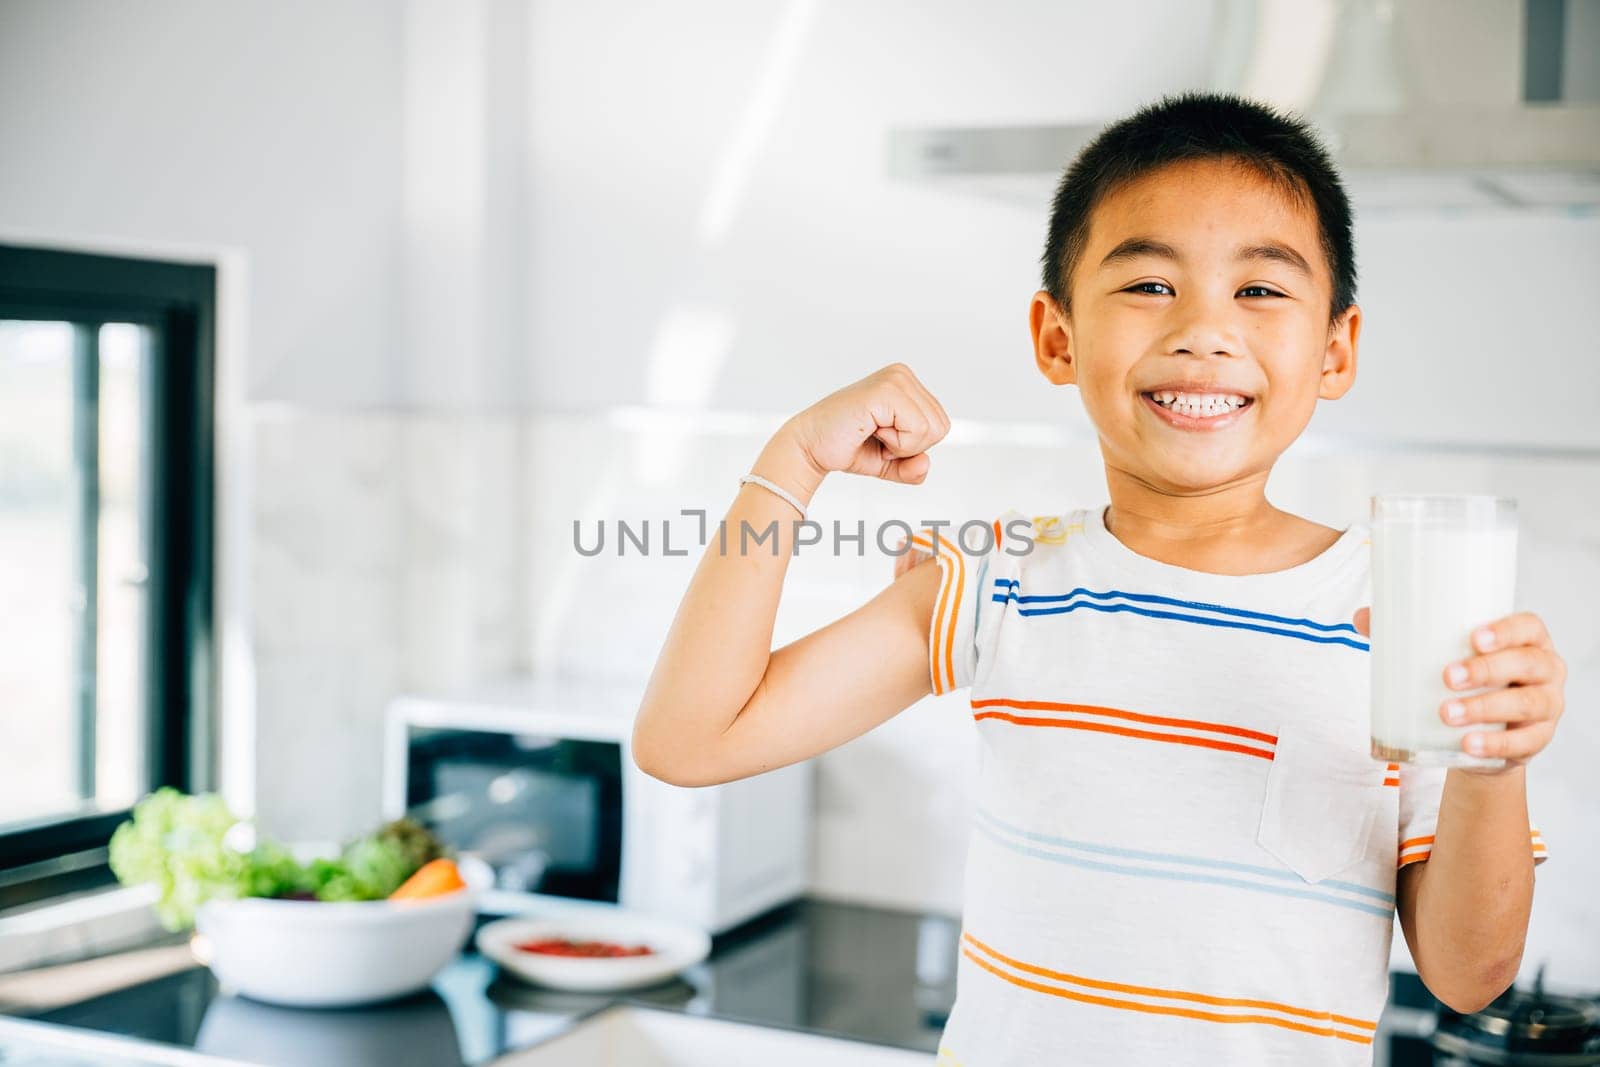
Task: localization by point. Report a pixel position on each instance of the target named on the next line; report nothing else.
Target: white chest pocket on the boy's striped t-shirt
(1319, 807)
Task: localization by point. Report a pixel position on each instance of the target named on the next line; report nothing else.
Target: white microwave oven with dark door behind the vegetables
(537, 783)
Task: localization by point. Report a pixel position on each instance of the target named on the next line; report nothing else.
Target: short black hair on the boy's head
(1202, 127)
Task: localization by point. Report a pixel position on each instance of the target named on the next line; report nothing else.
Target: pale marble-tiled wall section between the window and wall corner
(386, 557)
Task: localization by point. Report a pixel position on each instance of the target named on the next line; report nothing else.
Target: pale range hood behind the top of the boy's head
(1430, 106)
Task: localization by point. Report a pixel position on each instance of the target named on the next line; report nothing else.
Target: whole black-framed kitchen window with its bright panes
(106, 458)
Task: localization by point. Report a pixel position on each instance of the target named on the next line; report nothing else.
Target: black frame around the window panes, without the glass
(178, 303)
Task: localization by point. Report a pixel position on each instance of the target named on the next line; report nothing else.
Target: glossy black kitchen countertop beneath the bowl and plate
(846, 970)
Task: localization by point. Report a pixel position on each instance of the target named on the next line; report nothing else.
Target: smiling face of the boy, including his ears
(1164, 302)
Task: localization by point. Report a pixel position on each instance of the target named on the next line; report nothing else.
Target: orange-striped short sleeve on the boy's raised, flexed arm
(978, 573)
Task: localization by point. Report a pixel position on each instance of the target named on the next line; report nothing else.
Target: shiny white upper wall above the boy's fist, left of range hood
(719, 183)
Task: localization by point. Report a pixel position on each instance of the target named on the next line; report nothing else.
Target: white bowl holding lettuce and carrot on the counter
(316, 954)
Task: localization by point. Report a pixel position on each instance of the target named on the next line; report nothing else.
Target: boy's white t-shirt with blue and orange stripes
(1183, 852)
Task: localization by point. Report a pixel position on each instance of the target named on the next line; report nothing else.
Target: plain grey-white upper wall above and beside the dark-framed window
(273, 129)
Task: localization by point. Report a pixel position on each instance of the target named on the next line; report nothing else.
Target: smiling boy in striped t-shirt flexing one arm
(1183, 849)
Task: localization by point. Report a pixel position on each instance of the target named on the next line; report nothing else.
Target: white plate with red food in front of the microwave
(678, 946)
